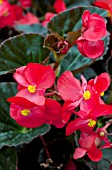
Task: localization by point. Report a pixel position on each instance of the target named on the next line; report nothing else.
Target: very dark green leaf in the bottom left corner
(8, 159)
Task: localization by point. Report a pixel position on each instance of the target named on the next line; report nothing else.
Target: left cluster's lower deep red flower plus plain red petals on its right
(30, 115)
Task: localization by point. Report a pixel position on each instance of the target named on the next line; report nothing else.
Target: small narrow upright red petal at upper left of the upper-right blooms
(85, 18)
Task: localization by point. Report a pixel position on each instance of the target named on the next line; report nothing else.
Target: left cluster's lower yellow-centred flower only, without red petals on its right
(26, 113)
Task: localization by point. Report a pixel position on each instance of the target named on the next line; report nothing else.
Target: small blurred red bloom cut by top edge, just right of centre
(59, 6)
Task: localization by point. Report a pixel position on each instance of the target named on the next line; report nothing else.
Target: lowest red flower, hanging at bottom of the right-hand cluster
(92, 145)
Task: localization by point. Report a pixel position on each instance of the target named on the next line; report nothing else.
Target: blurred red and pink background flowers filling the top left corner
(11, 15)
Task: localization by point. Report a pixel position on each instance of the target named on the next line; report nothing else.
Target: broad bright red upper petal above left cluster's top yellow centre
(40, 75)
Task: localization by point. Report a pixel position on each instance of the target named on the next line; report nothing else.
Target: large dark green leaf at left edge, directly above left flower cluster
(20, 50)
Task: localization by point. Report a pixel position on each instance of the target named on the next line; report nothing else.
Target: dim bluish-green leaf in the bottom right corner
(104, 163)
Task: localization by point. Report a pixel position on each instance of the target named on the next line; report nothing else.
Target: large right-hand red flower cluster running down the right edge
(88, 96)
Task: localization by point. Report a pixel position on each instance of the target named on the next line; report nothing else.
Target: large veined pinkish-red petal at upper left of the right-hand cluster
(69, 87)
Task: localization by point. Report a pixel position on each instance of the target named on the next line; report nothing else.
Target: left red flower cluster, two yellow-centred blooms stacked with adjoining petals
(29, 107)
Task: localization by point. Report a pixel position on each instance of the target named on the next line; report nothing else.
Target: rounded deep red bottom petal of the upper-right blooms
(92, 49)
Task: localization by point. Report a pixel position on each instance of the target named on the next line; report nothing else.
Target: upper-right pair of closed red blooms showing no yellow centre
(93, 29)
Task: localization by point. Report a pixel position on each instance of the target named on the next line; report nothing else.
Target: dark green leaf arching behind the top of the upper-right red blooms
(70, 20)
